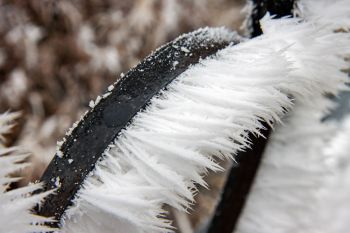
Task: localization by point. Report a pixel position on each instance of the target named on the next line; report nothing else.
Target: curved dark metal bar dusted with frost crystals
(102, 124)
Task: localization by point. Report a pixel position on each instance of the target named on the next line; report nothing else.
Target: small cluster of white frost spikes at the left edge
(15, 205)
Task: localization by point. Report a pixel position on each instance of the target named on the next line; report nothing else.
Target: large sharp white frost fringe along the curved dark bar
(203, 116)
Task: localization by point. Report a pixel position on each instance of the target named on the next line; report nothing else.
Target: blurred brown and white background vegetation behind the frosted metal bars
(55, 56)
